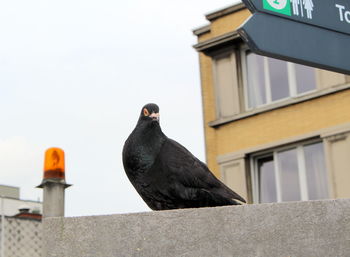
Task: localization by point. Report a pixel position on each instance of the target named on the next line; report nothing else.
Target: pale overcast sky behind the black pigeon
(75, 74)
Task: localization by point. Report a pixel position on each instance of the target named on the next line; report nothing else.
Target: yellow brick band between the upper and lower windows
(283, 123)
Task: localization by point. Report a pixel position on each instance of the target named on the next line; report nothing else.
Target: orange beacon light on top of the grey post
(54, 164)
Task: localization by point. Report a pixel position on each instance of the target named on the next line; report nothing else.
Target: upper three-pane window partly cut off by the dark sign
(268, 80)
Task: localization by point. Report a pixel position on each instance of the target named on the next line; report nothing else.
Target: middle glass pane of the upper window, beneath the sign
(278, 79)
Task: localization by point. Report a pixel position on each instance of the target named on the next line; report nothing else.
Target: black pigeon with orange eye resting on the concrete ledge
(165, 174)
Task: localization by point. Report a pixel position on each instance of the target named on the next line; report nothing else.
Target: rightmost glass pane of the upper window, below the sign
(305, 78)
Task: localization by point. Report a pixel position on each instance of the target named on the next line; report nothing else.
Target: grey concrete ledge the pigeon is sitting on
(313, 228)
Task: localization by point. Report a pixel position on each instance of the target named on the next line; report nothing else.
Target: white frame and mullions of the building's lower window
(301, 168)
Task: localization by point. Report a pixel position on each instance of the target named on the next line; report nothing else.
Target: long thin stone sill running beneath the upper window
(280, 104)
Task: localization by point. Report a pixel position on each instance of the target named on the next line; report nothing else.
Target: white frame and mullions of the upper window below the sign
(292, 83)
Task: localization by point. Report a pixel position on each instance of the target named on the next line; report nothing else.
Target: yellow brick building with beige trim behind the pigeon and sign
(274, 130)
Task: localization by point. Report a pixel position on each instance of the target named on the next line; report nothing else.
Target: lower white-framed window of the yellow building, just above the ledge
(290, 174)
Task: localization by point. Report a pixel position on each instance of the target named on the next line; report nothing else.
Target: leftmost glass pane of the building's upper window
(256, 80)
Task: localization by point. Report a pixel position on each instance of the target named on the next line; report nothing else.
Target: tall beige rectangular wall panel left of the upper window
(226, 89)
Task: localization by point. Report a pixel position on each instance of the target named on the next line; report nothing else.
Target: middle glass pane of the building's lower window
(289, 175)
